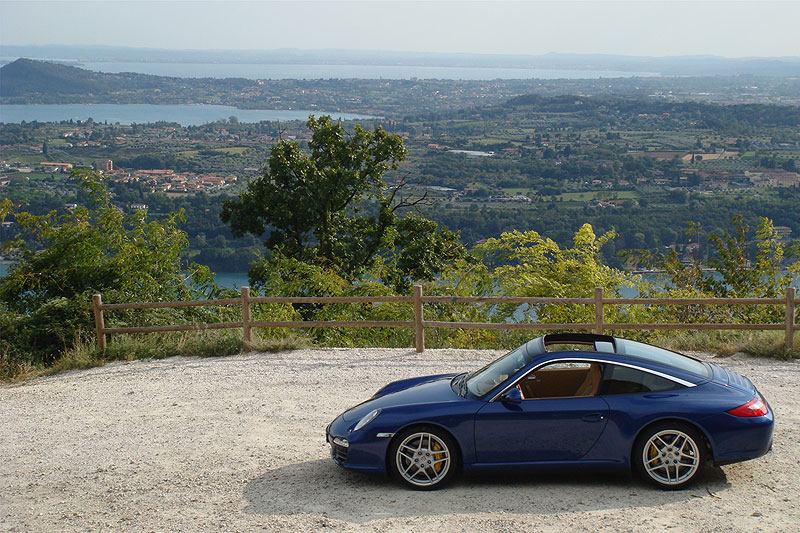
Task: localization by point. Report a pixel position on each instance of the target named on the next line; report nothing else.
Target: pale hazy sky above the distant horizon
(726, 28)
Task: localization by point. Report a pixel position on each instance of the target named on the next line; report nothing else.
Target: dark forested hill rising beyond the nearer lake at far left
(30, 78)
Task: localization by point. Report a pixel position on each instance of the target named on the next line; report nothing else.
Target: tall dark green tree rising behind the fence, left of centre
(331, 206)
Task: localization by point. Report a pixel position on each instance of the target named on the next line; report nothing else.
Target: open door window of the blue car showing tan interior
(564, 379)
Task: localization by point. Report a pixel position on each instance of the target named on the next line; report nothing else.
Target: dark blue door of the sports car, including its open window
(561, 425)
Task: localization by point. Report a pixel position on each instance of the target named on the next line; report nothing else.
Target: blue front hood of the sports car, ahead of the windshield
(422, 390)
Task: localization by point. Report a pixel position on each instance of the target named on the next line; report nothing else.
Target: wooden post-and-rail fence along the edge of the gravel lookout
(419, 323)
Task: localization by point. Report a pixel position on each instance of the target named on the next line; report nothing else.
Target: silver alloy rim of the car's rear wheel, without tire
(671, 457)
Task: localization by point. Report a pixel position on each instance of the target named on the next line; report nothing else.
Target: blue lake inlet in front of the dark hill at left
(185, 115)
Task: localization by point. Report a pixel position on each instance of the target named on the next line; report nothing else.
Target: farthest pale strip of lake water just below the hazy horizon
(390, 72)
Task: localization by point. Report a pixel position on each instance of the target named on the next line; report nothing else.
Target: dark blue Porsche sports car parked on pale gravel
(558, 401)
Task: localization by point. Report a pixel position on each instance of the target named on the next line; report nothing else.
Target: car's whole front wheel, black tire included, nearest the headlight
(423, 458)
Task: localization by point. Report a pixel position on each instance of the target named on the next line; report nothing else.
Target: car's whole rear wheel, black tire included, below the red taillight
(670, 455)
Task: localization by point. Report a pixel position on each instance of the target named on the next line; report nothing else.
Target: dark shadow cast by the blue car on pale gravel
(321, 487)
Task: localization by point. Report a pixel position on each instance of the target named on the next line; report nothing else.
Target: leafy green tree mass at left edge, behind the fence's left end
(64, 258)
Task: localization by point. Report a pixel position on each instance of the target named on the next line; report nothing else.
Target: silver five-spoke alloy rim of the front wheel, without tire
(423, 459)
